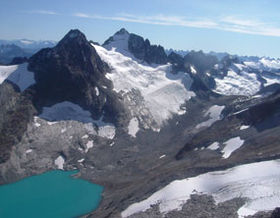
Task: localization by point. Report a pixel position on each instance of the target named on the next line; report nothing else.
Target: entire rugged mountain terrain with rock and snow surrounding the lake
(165, 135)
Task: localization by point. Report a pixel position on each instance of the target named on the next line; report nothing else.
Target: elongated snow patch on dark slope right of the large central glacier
(214, 114)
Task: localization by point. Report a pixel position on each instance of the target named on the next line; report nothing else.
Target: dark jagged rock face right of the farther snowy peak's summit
(143, 50)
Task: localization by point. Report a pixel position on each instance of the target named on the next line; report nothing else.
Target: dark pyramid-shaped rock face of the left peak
(73, 71)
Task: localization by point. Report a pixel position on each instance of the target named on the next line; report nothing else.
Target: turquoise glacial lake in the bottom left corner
(55, 194)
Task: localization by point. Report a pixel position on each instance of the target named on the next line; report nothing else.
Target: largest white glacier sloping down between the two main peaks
(163, 92)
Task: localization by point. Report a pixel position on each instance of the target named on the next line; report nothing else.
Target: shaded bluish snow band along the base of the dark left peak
(69, 111)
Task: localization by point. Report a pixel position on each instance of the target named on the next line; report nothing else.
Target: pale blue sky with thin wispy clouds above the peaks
(246, 27)
